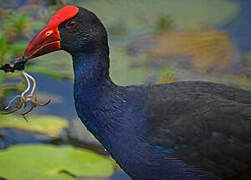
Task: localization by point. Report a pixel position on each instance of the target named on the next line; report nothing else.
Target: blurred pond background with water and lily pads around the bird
(151, 41)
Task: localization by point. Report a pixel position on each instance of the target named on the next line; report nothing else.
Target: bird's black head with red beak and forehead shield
(73, 29)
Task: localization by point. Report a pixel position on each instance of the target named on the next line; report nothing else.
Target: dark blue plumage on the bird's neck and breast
(118, 117)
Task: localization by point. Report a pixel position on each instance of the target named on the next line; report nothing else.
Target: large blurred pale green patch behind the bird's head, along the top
(140, 17)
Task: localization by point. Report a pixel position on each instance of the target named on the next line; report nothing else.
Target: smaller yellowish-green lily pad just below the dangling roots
(49, 125)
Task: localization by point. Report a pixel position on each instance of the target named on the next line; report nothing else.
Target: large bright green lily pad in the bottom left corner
(40, 162)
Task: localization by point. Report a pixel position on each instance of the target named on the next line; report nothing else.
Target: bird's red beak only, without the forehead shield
(46, 41)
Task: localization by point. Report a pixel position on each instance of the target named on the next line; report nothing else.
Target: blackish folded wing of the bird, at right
(204, 124)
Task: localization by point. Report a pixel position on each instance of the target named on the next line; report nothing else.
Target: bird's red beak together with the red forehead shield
(48, 39)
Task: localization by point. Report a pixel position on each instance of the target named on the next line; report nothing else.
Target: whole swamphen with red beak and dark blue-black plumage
(177, 131)
